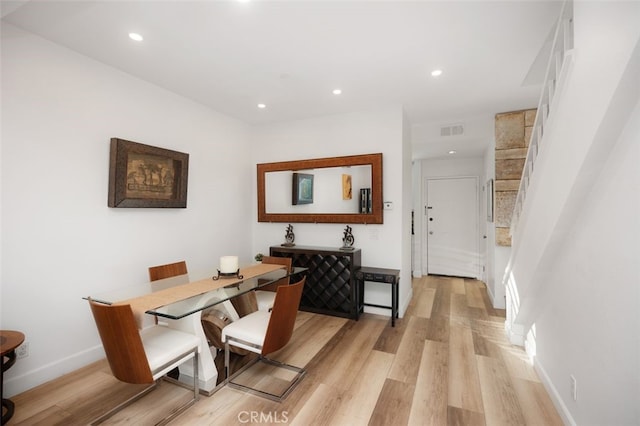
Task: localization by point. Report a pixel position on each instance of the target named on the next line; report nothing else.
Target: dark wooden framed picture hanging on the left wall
(146, 176)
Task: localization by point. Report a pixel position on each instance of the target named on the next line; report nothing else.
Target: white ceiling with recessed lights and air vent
(290, 55)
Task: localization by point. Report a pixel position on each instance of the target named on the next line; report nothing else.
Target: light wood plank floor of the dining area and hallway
(447, 362)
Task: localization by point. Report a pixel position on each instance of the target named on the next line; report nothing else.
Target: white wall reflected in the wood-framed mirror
(327, 190)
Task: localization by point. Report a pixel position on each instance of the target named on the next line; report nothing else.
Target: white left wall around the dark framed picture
(60, 241)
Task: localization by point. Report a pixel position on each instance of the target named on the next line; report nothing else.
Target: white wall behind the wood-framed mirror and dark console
(364, 132)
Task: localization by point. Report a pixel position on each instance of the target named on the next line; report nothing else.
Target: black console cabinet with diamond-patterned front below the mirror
(330, 287)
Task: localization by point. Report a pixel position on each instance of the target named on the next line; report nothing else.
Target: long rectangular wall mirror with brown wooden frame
(335, 189)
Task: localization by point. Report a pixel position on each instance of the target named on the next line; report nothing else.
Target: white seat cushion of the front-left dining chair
(163, 344)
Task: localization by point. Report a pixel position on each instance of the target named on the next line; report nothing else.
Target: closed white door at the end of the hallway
(452, 227)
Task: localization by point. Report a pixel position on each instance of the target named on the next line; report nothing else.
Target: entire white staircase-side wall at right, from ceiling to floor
(574, 263)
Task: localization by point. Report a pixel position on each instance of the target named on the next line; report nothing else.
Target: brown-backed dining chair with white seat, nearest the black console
(264, 332)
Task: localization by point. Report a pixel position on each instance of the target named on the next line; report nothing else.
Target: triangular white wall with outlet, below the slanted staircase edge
(589, 326)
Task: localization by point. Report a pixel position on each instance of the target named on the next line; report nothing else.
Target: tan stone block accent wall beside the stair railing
(513, 131)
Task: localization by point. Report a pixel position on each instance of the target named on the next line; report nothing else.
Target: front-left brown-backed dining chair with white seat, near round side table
(143, 356)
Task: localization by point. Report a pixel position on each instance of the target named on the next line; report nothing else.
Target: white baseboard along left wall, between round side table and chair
(46, 373)
